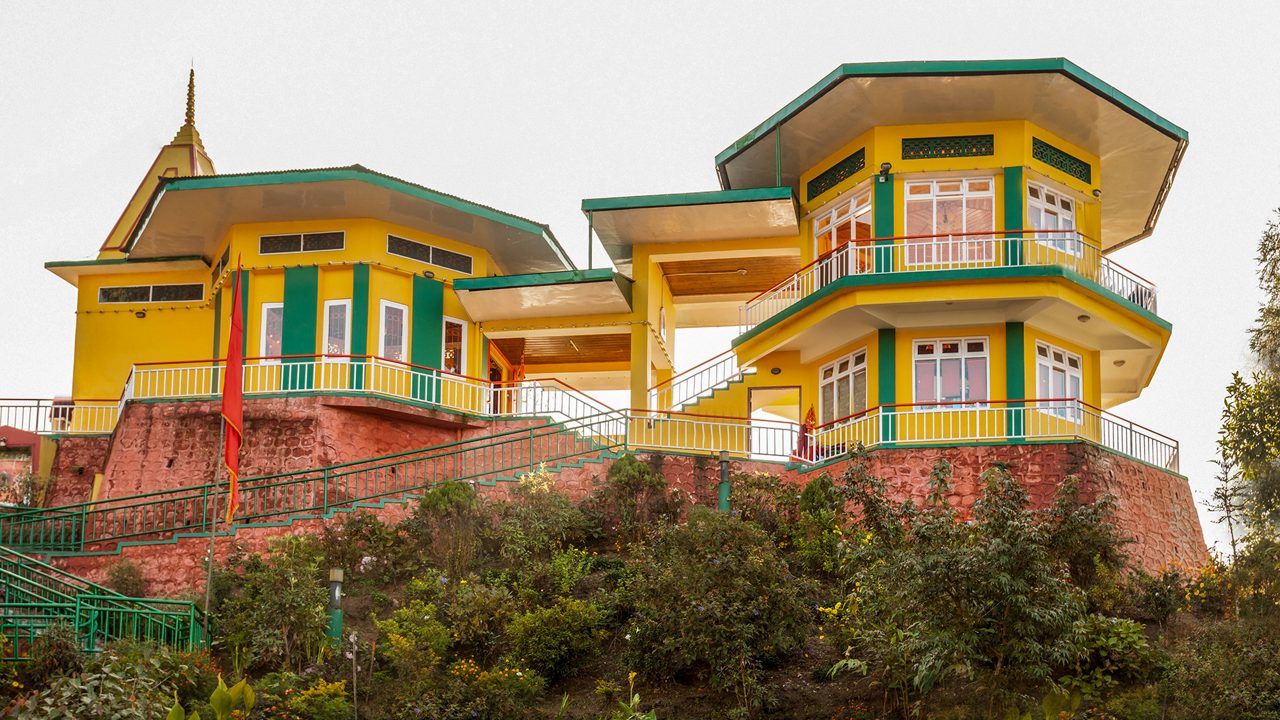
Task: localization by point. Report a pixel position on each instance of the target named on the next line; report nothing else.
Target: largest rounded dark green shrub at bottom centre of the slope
(716, 598)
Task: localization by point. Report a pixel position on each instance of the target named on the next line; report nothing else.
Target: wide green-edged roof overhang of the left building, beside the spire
(191, 216)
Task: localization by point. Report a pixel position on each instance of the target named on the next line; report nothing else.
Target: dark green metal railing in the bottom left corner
(38, 595)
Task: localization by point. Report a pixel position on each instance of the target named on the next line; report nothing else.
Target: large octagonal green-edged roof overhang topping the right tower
(1139, 149)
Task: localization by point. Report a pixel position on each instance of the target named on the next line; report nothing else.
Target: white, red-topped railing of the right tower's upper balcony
(962, 252)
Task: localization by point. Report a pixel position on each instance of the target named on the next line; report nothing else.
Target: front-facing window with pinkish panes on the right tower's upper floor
(949, 221)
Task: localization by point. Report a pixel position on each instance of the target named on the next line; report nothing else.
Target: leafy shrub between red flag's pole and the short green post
(276, 610)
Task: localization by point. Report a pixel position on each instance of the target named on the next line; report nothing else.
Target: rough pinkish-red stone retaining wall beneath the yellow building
(162, 446)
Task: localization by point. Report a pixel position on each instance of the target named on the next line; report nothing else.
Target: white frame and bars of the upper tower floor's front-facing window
(964, 243)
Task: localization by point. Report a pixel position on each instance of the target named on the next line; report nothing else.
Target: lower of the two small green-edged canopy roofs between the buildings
(545, 295)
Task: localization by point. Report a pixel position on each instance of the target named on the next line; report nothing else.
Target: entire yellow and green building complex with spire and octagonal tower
(916, 257)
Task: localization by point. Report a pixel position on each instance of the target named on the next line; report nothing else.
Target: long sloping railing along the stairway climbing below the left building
(316, 493)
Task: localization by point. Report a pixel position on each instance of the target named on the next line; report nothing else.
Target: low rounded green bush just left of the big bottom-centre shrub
(550, 639)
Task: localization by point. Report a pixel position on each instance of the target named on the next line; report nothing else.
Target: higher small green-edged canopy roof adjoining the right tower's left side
(621, 224)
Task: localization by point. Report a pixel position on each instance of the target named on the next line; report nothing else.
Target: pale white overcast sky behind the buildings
(531, 107)
